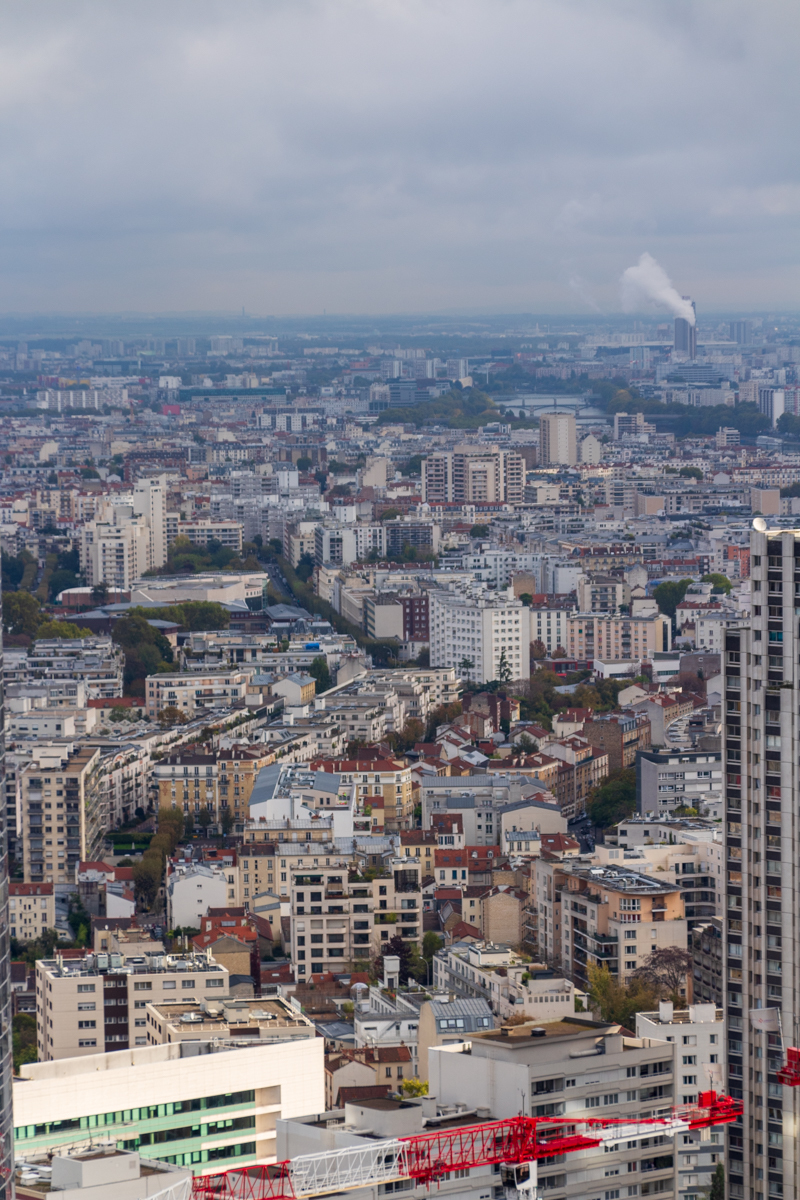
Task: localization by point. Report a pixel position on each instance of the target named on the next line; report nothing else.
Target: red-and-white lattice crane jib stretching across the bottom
(516, 1144)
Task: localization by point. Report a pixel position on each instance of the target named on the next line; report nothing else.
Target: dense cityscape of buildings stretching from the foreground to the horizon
(386, 700)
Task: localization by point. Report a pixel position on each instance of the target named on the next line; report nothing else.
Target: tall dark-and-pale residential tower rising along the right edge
(762, 957)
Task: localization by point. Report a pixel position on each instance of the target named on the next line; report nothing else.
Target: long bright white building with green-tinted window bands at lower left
(206, 1105)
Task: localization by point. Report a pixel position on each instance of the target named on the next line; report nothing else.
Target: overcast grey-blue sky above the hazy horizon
(396, 155)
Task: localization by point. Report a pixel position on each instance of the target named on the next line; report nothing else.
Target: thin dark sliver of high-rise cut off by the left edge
(7, 1054)
